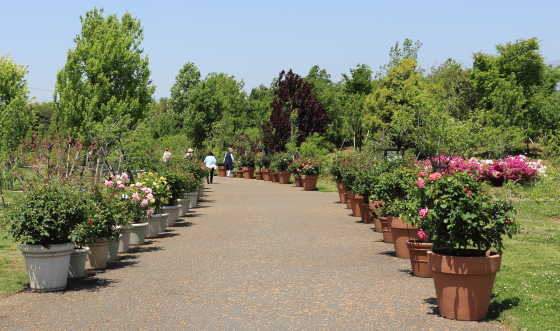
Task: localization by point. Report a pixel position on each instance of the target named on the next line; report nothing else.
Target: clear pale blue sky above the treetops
(255, 40)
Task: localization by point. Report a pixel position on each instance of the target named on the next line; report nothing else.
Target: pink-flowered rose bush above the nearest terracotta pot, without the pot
(459, 213)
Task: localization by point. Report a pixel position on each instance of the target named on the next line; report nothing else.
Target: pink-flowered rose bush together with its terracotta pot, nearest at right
(465, 223)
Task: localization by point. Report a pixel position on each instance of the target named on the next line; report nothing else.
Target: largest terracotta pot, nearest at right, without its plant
(464, 284)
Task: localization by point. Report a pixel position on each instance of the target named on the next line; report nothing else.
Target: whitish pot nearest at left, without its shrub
(47, 267)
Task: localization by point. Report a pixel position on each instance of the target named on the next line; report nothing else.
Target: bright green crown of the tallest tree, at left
(106, 79)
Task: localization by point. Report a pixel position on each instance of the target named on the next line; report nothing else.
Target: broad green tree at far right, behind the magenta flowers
(513, 89)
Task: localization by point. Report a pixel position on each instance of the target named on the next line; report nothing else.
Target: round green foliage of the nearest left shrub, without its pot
(46, 214)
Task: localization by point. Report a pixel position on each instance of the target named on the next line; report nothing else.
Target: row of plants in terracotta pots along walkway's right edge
(444, 221)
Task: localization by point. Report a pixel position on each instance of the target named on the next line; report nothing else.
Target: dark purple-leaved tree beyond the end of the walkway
(296, 113)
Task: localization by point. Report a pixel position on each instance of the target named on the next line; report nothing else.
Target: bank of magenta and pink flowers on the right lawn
(518, 168)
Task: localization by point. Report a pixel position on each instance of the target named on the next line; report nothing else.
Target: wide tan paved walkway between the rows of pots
(254, 256)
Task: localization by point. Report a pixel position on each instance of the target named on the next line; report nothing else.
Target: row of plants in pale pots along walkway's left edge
(66, 224)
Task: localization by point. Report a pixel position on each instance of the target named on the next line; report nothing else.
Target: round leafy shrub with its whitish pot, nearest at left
(43, 220)
